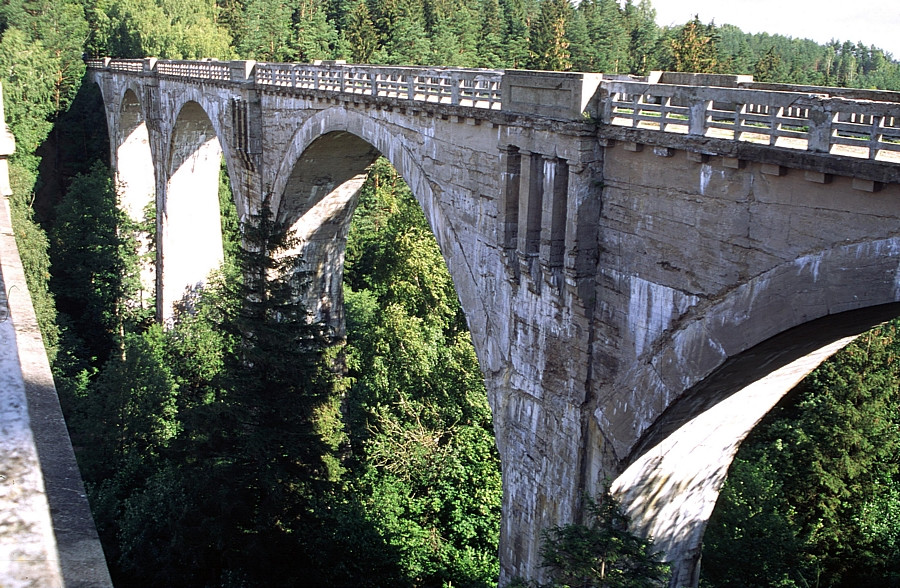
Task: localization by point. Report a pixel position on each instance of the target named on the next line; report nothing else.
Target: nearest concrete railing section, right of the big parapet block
(812, 121)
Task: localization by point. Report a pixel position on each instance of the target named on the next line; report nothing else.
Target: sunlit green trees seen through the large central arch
(420, 428)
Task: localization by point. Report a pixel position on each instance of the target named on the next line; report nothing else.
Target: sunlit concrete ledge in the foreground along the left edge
(47, 535)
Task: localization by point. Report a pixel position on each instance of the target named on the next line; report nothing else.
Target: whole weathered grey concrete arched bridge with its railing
(647, 264)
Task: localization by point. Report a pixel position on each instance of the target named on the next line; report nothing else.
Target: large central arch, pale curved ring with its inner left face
(307, 188)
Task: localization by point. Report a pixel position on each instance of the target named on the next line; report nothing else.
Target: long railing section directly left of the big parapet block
(458, 87)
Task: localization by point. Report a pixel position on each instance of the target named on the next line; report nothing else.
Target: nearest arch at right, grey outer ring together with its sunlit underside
(735, 360)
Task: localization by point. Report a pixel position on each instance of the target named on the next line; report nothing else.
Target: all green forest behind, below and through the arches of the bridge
(240, 446)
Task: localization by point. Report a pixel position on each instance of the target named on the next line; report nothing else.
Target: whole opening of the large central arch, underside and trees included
(421, 458)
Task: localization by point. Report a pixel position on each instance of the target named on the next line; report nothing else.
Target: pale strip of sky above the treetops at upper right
(874, 22)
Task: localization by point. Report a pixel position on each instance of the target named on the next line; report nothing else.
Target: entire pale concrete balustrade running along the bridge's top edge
(815, 120)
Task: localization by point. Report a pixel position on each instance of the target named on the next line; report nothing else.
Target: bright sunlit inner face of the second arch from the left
(189, 223)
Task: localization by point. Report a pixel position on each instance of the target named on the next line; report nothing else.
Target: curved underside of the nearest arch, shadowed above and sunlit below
(672, 477)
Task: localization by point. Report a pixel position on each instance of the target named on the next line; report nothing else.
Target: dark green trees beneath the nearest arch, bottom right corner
(821, 475)
